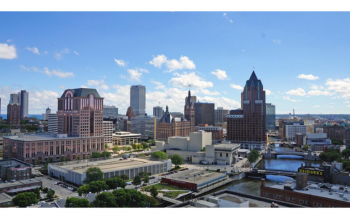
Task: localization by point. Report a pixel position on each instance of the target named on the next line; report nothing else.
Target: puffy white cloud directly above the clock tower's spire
(186, 79)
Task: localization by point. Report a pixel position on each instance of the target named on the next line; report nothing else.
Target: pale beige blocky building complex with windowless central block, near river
(198, 147)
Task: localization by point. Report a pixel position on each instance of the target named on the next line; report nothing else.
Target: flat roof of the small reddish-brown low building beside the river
(199, 178)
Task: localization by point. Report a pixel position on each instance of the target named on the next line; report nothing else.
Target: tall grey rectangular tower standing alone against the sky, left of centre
(138, 99)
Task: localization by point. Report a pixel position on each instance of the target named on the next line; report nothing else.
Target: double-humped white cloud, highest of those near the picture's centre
(183, 63)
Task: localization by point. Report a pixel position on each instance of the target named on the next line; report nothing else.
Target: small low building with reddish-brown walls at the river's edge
(193, 179)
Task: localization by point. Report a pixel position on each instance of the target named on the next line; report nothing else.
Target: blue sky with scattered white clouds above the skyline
(301, 58)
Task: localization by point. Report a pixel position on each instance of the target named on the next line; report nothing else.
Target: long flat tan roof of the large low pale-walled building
(109, 165)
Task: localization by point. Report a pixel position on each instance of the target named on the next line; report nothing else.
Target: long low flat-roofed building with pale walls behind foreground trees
(75, 171)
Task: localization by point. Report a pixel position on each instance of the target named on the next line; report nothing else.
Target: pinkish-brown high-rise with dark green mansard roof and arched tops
(80, 113)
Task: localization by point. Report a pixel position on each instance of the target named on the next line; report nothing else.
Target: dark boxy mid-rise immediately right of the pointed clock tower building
(204, 113)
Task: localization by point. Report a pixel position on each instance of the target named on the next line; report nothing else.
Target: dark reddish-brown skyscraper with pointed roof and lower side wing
(248, 124)
